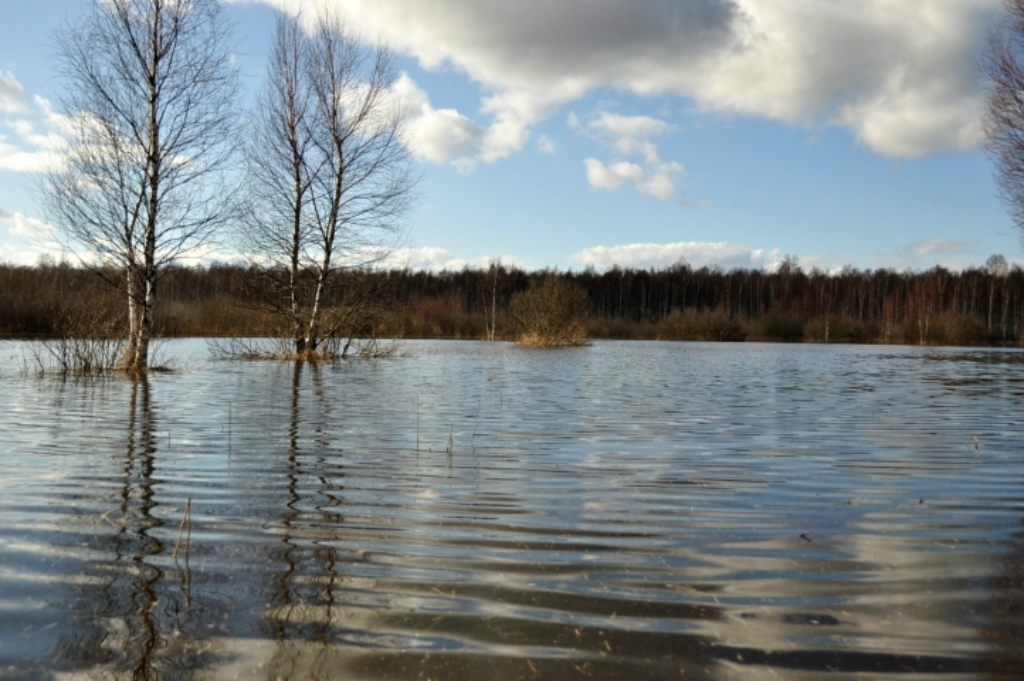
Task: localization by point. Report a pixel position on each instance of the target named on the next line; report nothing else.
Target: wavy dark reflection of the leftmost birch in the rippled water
(136, 619)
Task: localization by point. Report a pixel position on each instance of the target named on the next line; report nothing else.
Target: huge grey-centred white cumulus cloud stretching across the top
(900, 74)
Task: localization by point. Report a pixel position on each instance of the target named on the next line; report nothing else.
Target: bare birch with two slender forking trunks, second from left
(330, 175)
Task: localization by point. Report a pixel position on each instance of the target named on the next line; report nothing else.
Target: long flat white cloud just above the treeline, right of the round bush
(698, 254)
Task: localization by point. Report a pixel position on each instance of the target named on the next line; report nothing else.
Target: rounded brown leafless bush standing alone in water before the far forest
(552, 313)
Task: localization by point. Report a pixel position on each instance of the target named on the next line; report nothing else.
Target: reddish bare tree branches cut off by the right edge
(1004, 65)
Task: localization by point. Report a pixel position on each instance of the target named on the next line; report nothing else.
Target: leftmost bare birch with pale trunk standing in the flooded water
(151, 94)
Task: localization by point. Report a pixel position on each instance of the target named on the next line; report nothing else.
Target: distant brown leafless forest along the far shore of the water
(976, 307)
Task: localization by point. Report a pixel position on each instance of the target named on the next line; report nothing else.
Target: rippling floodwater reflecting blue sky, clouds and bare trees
(482, 512)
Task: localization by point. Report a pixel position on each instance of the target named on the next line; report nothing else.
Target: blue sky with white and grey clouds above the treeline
(575, 134)
